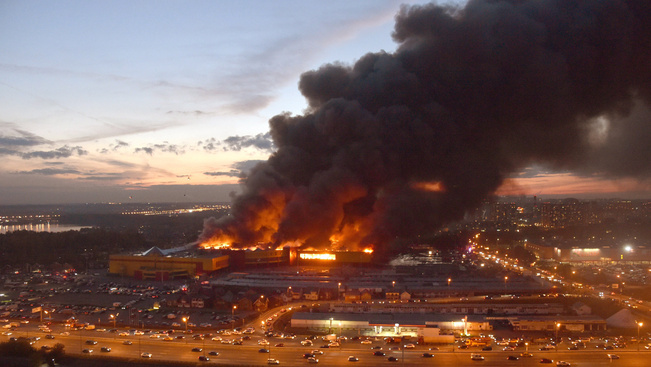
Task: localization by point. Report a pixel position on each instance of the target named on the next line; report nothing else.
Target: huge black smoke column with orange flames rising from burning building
(401, 143)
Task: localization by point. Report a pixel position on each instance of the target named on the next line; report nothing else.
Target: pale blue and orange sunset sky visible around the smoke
(169, 101)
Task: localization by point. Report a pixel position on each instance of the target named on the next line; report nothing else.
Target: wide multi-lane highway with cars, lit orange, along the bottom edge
(291, 353)
